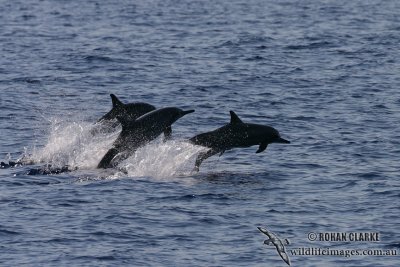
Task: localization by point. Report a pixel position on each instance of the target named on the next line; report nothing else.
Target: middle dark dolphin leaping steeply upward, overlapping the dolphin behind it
(139, 132)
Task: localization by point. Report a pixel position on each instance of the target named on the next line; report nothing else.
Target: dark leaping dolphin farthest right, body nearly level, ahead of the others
(235, 134)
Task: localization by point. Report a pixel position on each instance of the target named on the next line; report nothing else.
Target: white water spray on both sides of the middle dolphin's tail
(77, 144)
